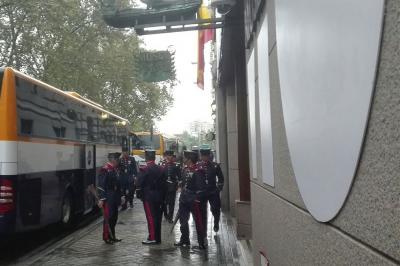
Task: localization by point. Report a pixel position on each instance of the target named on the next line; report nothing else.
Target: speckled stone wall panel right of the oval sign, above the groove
(372, 210)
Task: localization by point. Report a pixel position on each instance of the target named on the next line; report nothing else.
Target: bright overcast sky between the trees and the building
(190, 102)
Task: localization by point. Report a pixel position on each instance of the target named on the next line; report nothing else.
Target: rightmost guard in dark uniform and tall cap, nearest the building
(214, 180)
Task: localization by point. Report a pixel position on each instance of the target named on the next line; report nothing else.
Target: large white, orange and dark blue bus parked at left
(51, 145)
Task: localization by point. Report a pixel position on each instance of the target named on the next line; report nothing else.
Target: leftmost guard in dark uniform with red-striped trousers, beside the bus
(109, 191)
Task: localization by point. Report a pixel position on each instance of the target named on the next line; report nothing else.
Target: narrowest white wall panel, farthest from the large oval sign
(252, 114)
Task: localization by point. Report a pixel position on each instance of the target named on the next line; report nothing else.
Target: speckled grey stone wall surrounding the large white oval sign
(367, 230)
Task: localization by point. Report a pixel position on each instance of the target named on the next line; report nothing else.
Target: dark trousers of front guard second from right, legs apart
(196, 209)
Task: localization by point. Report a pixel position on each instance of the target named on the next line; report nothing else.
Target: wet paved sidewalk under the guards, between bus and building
(85, 247)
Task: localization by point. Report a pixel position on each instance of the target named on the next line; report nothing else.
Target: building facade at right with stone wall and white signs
(308, 120)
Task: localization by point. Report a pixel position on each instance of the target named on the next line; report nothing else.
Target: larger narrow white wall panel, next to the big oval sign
(267, 160)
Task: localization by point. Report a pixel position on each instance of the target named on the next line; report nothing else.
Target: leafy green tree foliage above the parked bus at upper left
(66, 43)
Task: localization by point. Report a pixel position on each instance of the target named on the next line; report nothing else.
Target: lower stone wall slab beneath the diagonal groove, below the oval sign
(290, 236)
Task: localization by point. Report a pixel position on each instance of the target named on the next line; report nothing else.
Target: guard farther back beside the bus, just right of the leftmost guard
(128, 173)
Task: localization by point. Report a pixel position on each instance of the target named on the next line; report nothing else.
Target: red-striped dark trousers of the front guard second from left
(153, 211)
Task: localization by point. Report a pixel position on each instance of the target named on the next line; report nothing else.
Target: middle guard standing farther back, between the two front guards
(171, 174)
